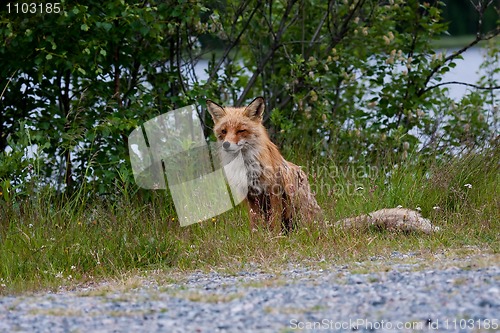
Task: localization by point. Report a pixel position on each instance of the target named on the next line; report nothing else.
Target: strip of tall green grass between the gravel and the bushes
(47, 242)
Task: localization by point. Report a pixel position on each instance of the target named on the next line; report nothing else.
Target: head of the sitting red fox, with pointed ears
(238, 128)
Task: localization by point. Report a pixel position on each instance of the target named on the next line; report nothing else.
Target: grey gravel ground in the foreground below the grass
(401, 293)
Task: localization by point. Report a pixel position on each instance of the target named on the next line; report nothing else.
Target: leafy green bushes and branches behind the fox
(354, 79)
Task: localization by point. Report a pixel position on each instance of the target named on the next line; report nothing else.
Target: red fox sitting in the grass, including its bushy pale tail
(279, 193)
